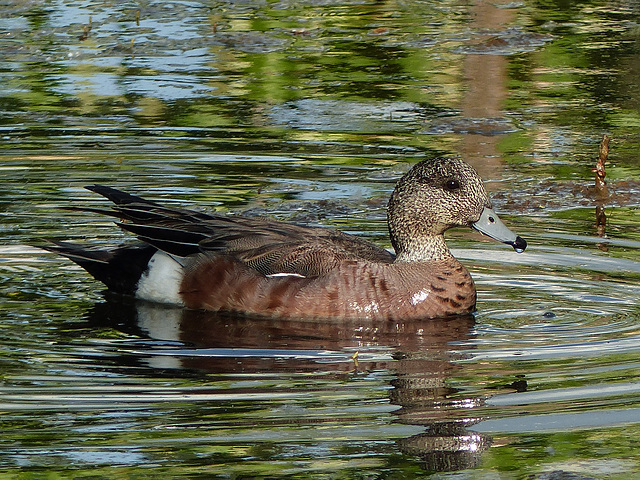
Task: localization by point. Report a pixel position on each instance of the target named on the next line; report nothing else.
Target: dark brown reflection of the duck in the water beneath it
(421, 352)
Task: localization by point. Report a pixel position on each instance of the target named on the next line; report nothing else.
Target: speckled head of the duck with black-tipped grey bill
(435, 195)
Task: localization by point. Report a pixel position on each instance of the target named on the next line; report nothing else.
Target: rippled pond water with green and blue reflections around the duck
(309, 112)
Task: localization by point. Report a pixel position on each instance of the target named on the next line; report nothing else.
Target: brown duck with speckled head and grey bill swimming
(268, 268)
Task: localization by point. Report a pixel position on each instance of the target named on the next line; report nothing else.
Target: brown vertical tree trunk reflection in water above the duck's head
(485, 76)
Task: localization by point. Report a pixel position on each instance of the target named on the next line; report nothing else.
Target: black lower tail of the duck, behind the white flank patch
(119, 268)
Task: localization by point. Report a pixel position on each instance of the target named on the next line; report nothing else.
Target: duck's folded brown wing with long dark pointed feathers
(268, 246)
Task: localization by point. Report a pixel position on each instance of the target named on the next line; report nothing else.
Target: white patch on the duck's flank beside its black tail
(161, 281)
